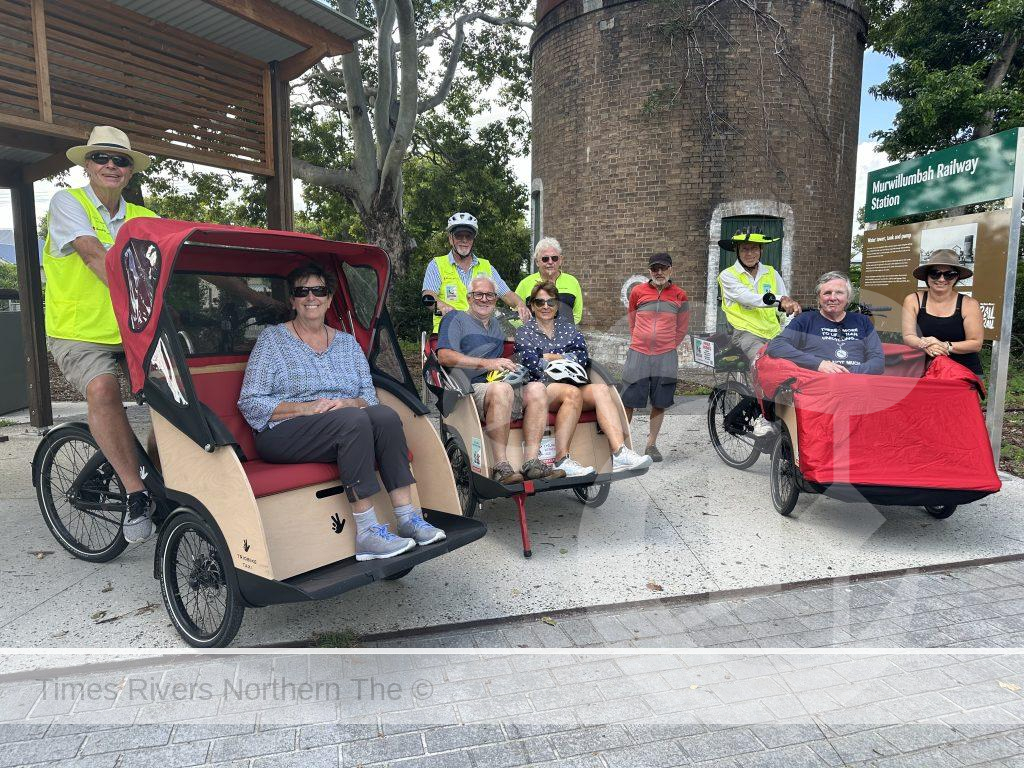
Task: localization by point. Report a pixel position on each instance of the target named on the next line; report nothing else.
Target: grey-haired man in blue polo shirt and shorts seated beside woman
(475, 342)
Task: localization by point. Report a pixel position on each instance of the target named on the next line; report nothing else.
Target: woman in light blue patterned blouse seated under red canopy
(310, 396)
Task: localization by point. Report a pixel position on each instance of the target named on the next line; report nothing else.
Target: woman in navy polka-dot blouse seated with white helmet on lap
(547, 338)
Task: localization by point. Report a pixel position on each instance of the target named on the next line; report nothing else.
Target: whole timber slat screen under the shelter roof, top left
(175, 94)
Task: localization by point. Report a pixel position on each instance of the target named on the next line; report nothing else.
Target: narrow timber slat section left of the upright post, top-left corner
(19, 90)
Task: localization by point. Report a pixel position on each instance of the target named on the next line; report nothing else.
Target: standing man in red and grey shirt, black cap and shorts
(660, 317)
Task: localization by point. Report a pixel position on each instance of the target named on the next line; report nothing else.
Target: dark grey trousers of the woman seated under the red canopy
(353, 437)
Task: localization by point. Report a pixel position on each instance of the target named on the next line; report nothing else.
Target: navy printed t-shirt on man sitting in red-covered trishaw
(812, 337)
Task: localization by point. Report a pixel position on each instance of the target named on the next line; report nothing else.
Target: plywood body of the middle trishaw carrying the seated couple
(472, 456)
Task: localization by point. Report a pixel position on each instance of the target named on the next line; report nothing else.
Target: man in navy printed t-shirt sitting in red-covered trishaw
(832, 340)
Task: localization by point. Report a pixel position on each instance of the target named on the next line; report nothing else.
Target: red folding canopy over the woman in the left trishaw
(148, 250)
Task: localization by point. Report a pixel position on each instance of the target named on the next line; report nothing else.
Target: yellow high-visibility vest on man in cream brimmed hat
(78, 305)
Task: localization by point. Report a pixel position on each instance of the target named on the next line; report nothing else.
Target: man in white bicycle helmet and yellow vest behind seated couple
(448, 278)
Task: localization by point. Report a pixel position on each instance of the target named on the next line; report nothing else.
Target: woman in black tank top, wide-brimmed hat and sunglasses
(959, 334)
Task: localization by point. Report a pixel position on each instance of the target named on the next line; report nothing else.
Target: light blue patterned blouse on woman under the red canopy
(282, 369)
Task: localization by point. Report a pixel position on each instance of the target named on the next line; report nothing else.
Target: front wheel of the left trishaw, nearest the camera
(204, 607)
